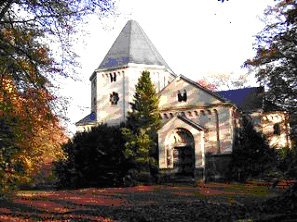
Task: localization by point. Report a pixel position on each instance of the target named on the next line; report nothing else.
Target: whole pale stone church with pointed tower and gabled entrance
(196, 121)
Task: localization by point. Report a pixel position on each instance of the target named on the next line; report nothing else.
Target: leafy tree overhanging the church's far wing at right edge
(275, 61)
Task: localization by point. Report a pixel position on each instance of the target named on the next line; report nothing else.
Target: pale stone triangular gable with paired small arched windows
(197, 96)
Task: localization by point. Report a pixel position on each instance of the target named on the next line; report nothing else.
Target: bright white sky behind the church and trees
(195, 37)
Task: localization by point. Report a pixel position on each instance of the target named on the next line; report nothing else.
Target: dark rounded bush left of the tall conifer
(94, 158)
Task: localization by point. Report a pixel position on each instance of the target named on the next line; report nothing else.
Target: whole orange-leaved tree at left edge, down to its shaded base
(31, 135)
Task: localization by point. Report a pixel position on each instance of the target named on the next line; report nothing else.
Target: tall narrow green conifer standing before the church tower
(142, 125)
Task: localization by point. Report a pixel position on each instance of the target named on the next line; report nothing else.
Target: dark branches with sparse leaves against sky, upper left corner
(33, 32)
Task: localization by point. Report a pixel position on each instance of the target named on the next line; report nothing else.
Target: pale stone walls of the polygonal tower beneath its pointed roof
(121, 84)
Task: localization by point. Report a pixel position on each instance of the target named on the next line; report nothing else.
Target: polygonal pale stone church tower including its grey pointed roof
(113, 82)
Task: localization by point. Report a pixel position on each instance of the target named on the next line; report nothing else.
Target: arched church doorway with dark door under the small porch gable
(180, 152)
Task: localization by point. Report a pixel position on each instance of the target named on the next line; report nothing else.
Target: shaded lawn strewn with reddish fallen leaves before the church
(192, 202)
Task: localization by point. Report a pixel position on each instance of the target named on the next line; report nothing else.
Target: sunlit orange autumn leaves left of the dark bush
(36, 129)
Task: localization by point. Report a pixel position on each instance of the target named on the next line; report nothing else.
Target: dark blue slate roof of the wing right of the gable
(249, 99)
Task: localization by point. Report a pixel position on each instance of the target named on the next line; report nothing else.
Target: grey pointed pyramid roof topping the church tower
(132, 46)
